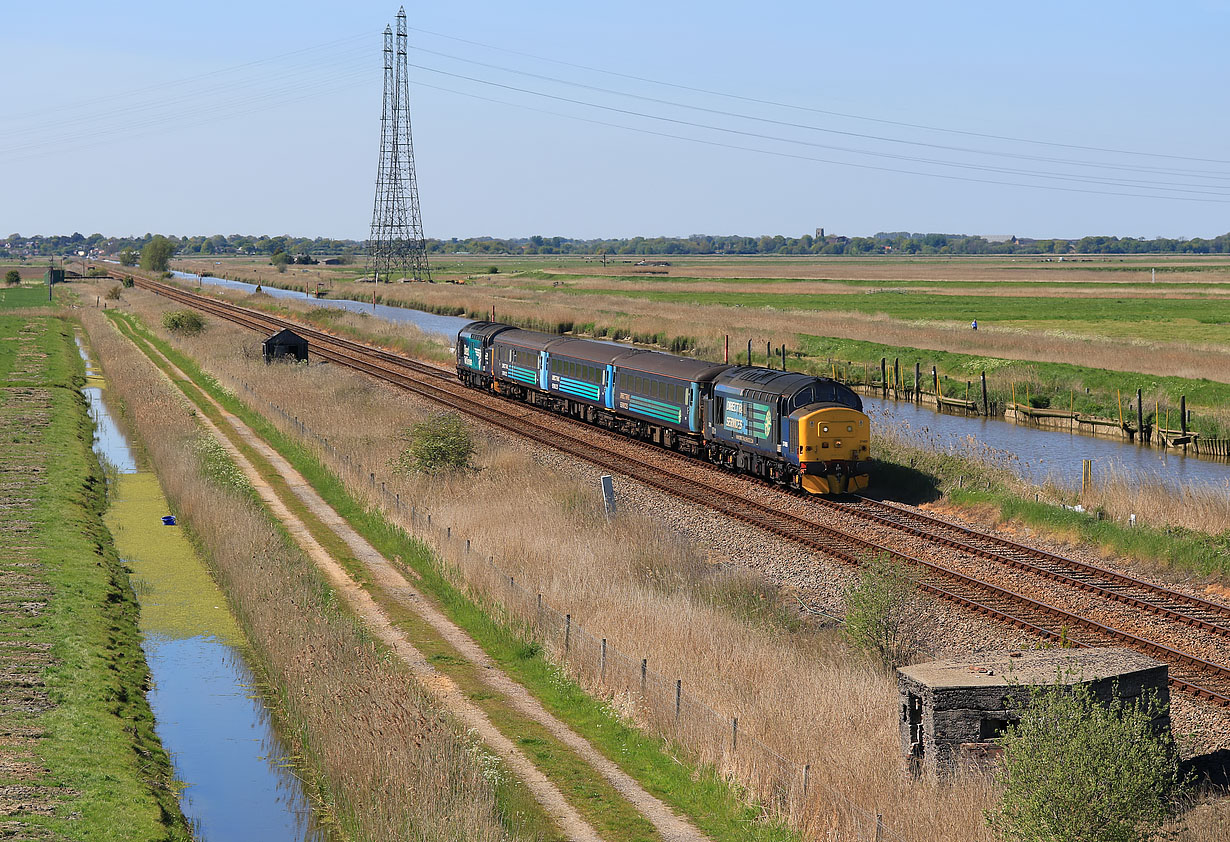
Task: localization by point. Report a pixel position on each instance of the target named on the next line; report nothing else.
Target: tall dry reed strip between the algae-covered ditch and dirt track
(361, 723)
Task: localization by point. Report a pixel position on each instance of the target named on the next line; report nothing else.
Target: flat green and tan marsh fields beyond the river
(1079, 334)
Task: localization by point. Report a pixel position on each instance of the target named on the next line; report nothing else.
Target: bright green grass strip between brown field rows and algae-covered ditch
(99, 741)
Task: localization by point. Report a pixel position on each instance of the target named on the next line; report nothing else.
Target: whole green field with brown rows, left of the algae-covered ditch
(79, 758)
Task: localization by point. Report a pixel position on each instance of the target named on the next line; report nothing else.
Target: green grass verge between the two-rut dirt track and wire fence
(718, 808)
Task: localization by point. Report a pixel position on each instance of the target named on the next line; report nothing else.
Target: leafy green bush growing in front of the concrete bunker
(1085, 771)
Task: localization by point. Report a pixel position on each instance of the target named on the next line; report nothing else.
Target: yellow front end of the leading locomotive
(835, 447)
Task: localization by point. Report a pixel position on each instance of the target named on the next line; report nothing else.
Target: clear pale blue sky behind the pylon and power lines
(603, 121)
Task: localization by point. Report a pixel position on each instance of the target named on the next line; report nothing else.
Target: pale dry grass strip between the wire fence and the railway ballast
(638, 584)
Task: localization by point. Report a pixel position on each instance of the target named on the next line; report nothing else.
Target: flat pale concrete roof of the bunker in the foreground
(1030, 667)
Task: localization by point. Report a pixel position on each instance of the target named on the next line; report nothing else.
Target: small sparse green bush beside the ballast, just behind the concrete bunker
(886, 615)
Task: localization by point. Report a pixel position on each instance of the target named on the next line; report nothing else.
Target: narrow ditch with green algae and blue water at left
(238, 781)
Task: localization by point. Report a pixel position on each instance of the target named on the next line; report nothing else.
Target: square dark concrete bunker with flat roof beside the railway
(954, 711)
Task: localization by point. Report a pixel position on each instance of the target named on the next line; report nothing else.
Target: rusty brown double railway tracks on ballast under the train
(1184, 631)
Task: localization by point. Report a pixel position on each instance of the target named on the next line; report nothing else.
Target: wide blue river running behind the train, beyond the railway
(1035, 454)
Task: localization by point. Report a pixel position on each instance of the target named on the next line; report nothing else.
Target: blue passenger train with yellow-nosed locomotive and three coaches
(789, 428)
